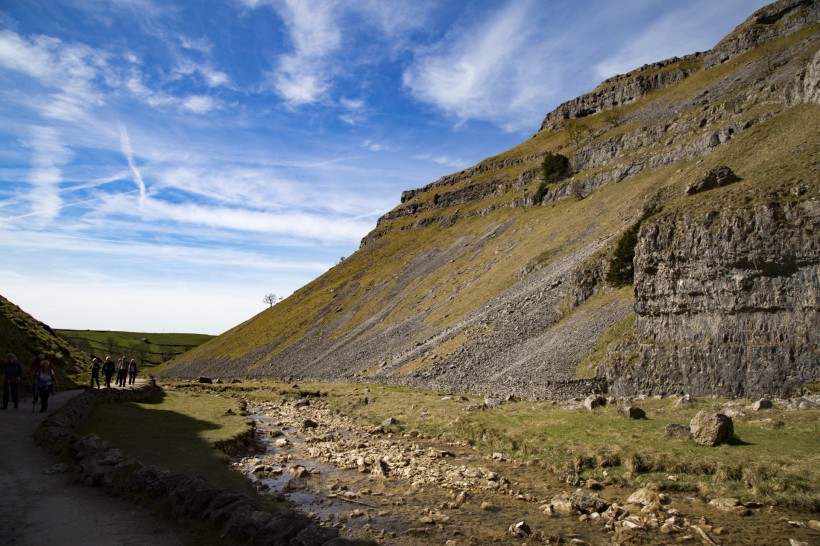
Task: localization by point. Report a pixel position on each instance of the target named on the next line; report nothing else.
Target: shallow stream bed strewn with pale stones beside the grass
(399, 487)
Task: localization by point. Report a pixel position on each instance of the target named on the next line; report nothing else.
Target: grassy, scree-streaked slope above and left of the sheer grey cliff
(439, 274)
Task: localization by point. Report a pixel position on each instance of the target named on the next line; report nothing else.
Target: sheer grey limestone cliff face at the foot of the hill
(739, 316)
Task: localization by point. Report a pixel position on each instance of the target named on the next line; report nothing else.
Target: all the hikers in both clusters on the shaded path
(44, 380)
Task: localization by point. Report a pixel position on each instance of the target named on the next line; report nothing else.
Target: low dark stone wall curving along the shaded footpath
(229, 513)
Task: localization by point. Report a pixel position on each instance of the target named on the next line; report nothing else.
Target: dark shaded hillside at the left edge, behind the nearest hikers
(25, 336)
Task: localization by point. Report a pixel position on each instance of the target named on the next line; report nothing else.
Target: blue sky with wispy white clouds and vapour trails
(165, 164)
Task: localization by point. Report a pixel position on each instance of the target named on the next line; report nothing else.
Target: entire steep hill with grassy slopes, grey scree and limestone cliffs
(492, 280)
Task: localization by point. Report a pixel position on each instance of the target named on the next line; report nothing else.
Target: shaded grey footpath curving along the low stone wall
(42, 505)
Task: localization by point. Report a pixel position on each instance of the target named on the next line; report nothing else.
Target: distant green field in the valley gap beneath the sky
(148, 349)
